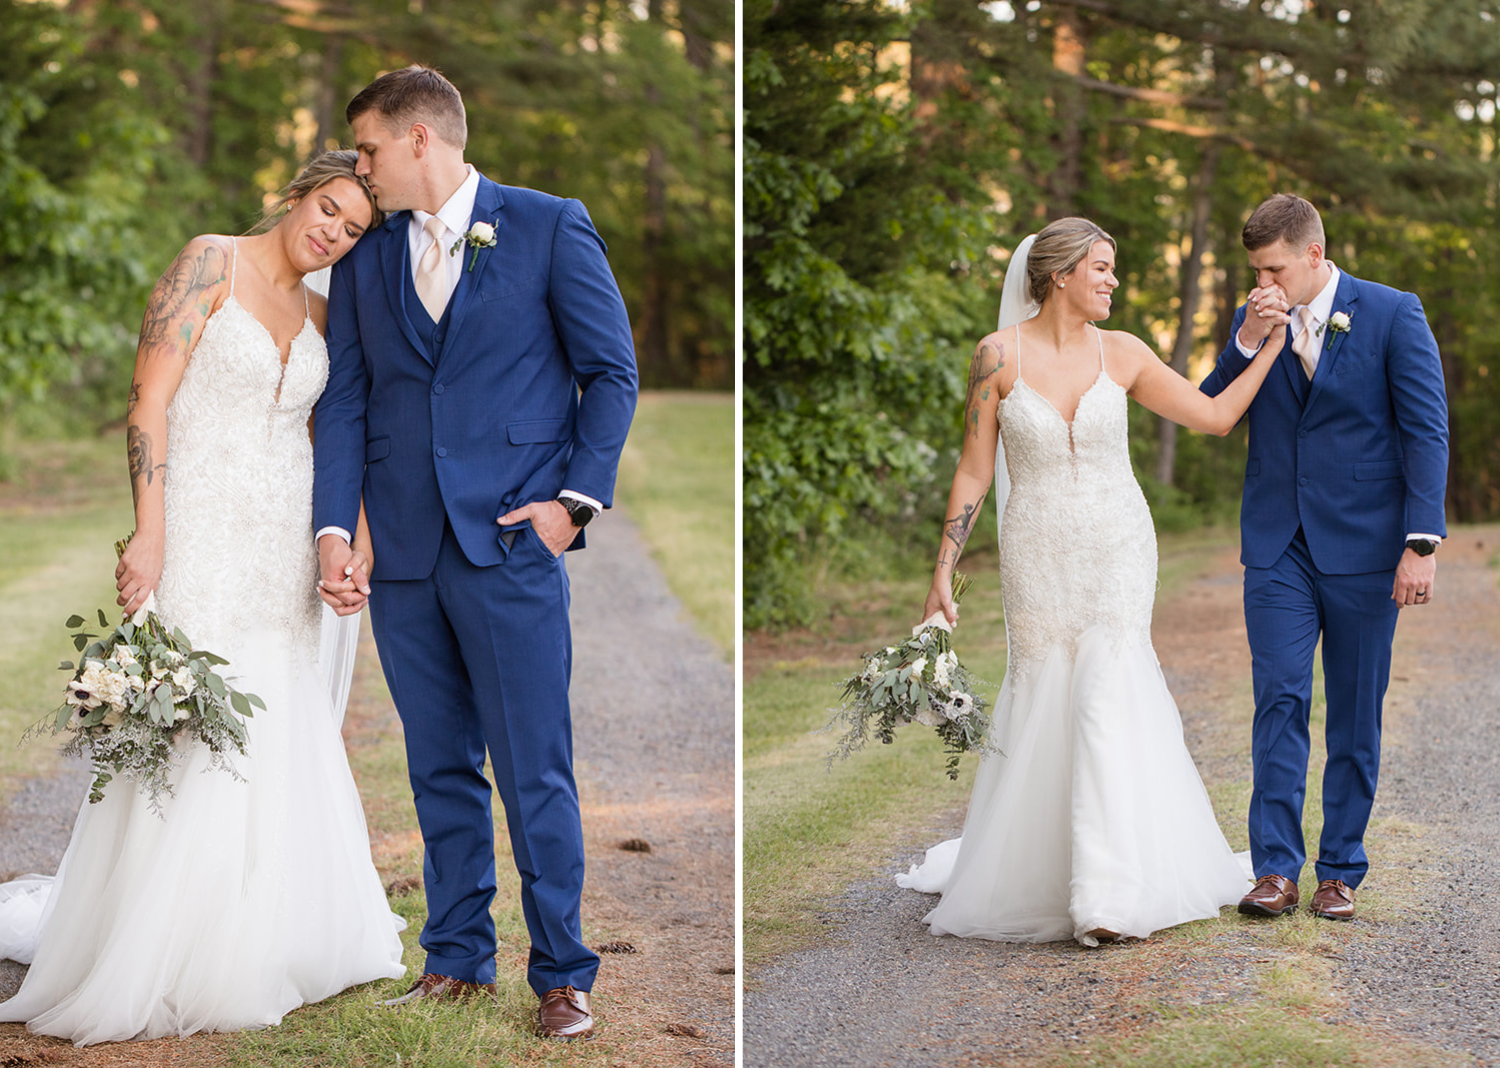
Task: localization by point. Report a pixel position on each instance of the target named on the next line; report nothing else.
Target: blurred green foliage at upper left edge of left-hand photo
(76, 163)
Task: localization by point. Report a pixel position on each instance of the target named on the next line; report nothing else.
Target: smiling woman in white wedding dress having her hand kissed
(1091, 823)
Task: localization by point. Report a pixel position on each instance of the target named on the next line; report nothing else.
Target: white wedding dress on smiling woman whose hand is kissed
(1093, 817)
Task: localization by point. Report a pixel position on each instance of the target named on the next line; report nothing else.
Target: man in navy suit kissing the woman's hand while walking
(1342, 520)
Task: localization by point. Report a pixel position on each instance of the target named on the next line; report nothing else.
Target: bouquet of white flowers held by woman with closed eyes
(140, 692)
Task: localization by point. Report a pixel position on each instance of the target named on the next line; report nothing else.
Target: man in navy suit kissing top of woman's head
(481, 385)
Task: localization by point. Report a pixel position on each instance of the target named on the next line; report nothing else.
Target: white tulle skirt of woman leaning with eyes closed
(248, 901)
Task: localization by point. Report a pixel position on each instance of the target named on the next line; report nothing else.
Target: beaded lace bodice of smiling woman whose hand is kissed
(1078, 545)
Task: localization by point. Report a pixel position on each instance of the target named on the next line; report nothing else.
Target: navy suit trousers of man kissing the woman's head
(478, 661)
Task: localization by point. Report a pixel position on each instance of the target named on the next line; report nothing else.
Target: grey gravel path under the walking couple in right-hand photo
(886, 994)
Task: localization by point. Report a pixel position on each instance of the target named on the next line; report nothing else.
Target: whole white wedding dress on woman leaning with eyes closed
(250, 898)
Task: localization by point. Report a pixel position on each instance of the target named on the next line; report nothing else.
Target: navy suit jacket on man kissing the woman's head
(530, 392)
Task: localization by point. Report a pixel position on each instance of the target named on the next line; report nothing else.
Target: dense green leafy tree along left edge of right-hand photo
(856, 326)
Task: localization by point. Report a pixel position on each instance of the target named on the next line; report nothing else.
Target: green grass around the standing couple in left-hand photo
(58, 526)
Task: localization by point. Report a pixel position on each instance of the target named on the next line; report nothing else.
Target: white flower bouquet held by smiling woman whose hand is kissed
(920, 680)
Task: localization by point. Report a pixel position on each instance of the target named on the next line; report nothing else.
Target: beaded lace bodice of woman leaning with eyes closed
(239, 484)
